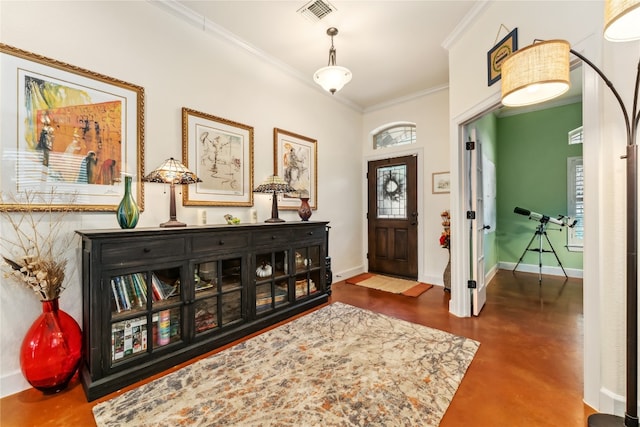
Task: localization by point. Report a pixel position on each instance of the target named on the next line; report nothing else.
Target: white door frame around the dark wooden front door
(388, 154)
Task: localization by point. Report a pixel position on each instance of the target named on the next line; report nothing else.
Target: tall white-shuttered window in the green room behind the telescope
(575, 203)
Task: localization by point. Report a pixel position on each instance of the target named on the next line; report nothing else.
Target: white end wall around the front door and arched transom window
(430, 114)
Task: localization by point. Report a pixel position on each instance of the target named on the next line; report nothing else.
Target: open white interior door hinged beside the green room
(476, 226)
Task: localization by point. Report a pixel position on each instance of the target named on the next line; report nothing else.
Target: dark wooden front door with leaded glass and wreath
(393, 216)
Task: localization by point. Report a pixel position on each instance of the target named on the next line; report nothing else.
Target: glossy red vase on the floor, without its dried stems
(51, 350)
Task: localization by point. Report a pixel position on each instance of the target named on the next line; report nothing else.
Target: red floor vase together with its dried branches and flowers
(51, 349)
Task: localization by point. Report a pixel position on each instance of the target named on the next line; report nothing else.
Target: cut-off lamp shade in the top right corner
(622, 20)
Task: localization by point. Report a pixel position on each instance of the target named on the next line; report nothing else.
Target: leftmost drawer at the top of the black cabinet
(138, 251)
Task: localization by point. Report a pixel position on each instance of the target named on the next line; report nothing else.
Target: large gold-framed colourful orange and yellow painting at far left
(69, 132)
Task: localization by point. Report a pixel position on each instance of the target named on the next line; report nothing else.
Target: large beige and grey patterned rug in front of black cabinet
(337, 366)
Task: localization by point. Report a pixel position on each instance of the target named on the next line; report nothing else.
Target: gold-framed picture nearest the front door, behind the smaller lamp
(295, 158)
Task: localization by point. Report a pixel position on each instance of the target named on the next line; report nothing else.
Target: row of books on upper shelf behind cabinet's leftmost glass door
(130, 291)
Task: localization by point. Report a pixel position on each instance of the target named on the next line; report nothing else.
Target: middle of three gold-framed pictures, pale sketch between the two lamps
(220, 153)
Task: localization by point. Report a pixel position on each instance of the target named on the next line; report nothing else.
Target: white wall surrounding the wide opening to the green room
(579, 22)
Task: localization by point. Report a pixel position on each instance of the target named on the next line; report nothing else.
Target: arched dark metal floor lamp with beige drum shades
(540, 72)
